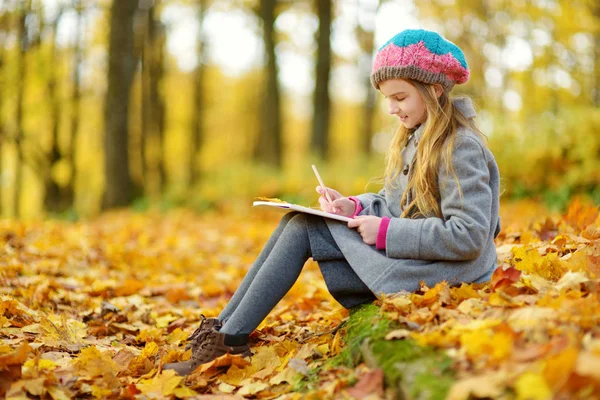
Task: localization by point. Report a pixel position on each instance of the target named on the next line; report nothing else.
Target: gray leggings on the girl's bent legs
(297, 238)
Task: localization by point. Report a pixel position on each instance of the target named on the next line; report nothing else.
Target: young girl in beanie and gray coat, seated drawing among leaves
(435, 219)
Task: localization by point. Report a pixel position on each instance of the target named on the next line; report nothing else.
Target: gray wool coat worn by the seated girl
(456, 248)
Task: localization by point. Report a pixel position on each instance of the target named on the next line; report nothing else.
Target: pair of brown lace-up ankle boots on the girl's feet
(213, 346)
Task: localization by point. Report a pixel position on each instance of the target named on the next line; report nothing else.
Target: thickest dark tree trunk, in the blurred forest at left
(121, 68)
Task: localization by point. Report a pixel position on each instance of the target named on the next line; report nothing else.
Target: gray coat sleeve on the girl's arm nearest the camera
(462, 232)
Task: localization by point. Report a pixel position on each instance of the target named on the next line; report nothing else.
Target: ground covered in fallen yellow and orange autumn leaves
(94, 309)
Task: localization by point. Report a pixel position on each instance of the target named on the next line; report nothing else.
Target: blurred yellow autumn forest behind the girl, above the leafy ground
(209, 104)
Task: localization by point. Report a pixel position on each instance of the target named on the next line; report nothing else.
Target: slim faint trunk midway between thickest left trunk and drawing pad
(197, 134)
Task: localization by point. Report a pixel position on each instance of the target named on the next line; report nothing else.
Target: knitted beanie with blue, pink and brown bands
(421, 55)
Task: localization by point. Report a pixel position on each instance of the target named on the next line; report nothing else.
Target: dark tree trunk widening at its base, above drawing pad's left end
(268, 147)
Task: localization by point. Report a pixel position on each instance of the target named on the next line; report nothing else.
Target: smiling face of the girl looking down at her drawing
(405, 101)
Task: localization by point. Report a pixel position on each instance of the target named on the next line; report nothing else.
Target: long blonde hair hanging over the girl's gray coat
(443, 119)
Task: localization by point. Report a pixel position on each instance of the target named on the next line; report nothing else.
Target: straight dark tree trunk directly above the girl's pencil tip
(320, 133)
